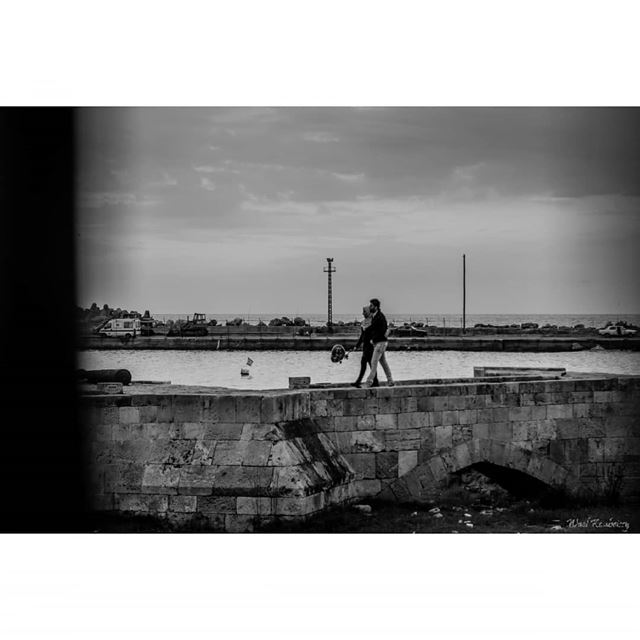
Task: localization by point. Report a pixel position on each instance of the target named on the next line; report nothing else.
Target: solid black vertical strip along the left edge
(41, 471)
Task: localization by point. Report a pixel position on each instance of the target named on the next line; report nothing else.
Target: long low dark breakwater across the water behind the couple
(243, 341)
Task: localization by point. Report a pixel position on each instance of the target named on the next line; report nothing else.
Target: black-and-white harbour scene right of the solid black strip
(360, 319)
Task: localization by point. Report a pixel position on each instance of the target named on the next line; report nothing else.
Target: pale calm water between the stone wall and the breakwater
(271, 369)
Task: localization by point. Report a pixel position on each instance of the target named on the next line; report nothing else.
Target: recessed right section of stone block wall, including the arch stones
(581, 435)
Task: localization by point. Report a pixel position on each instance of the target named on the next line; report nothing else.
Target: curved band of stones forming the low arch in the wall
(417, 484)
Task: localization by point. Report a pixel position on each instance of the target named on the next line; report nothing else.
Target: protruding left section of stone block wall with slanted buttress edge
(225, 461)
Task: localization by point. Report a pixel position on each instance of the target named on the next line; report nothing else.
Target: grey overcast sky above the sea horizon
(234, 210)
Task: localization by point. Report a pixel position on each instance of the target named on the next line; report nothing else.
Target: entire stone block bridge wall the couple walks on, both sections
(235, 459)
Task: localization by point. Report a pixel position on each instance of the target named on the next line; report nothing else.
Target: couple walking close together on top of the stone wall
(373, 338)
